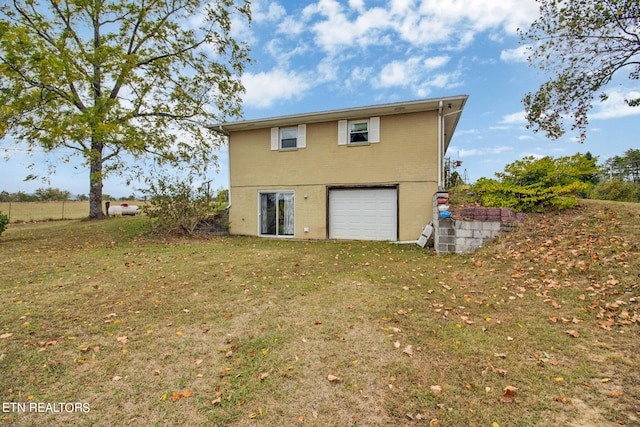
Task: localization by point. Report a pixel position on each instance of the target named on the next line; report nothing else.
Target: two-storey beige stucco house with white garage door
(366, 173)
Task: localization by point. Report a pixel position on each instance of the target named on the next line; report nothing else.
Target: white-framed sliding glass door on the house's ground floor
(277, 213)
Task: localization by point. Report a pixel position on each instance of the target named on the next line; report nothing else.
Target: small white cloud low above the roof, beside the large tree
(265, 88)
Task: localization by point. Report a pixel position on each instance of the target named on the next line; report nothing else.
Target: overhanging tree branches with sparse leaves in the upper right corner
(584, 43)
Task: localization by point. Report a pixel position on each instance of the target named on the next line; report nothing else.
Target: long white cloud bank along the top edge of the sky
(453, 23)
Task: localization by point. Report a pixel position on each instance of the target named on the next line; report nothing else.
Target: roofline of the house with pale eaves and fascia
(455, 103)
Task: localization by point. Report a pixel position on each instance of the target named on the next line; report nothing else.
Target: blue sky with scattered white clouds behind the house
(332, 54)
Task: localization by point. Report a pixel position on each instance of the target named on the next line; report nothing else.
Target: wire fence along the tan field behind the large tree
(49, 211)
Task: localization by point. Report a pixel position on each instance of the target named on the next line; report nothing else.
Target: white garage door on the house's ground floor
(363, 214)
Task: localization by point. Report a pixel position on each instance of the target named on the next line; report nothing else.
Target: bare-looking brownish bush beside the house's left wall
(177, 208)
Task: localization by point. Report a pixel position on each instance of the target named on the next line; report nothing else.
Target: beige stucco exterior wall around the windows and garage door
(406, 156)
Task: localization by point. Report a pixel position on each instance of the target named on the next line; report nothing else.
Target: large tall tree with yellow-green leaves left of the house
(116, 80)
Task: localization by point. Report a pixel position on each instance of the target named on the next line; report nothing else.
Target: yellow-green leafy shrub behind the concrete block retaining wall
(532, 184)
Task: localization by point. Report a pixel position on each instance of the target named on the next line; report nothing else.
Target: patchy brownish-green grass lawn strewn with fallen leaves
(542, 327)
